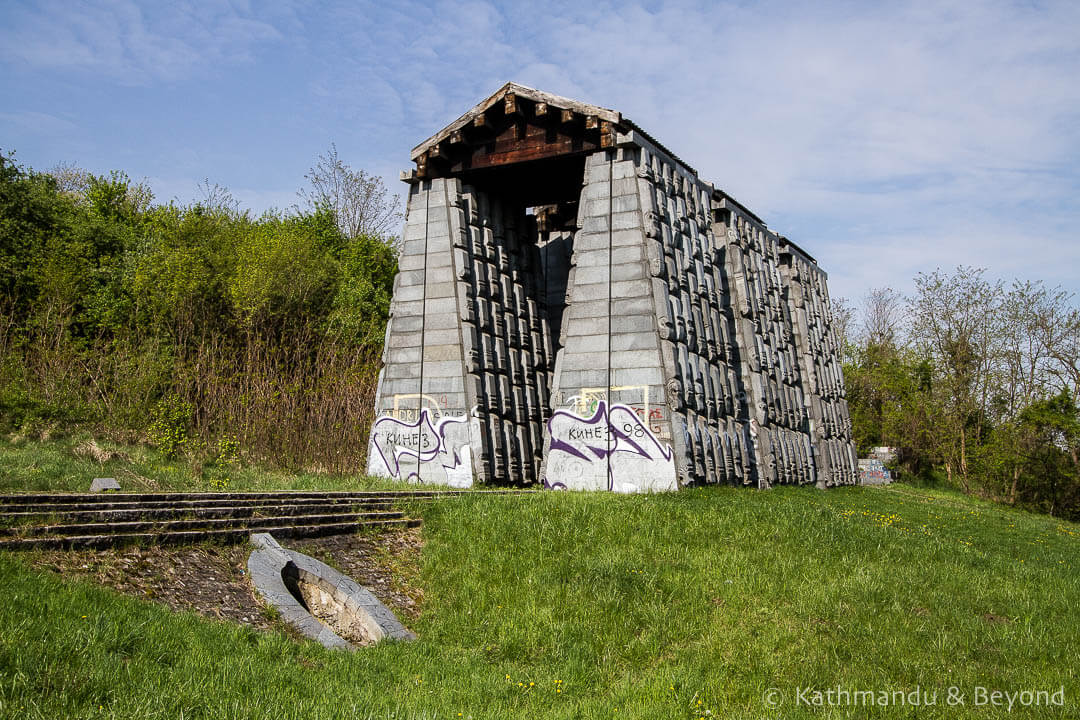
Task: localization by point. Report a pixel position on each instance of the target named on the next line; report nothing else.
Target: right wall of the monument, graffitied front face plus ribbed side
(747, 388)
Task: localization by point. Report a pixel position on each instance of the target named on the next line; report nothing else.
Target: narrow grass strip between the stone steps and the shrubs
(65, 466)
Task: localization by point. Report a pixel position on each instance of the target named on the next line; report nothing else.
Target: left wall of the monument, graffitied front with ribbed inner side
(468, 354)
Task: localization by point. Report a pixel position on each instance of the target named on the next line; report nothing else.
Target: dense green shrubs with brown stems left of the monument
(184, 325)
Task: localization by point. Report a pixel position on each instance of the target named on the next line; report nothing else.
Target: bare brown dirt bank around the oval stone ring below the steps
(212, 580)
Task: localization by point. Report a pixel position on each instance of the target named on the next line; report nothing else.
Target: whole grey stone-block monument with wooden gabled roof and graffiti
(576, 307)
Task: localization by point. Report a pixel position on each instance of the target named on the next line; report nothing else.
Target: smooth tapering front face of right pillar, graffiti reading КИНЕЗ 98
(611, 428)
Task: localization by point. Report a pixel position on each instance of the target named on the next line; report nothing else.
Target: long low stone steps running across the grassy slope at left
(69, 522)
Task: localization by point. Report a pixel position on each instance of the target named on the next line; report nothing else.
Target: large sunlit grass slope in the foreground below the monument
(598, 606)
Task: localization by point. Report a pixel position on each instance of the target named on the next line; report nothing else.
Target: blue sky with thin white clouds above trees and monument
(886, 139)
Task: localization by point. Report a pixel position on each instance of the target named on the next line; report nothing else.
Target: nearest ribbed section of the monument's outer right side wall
(711, 433)
